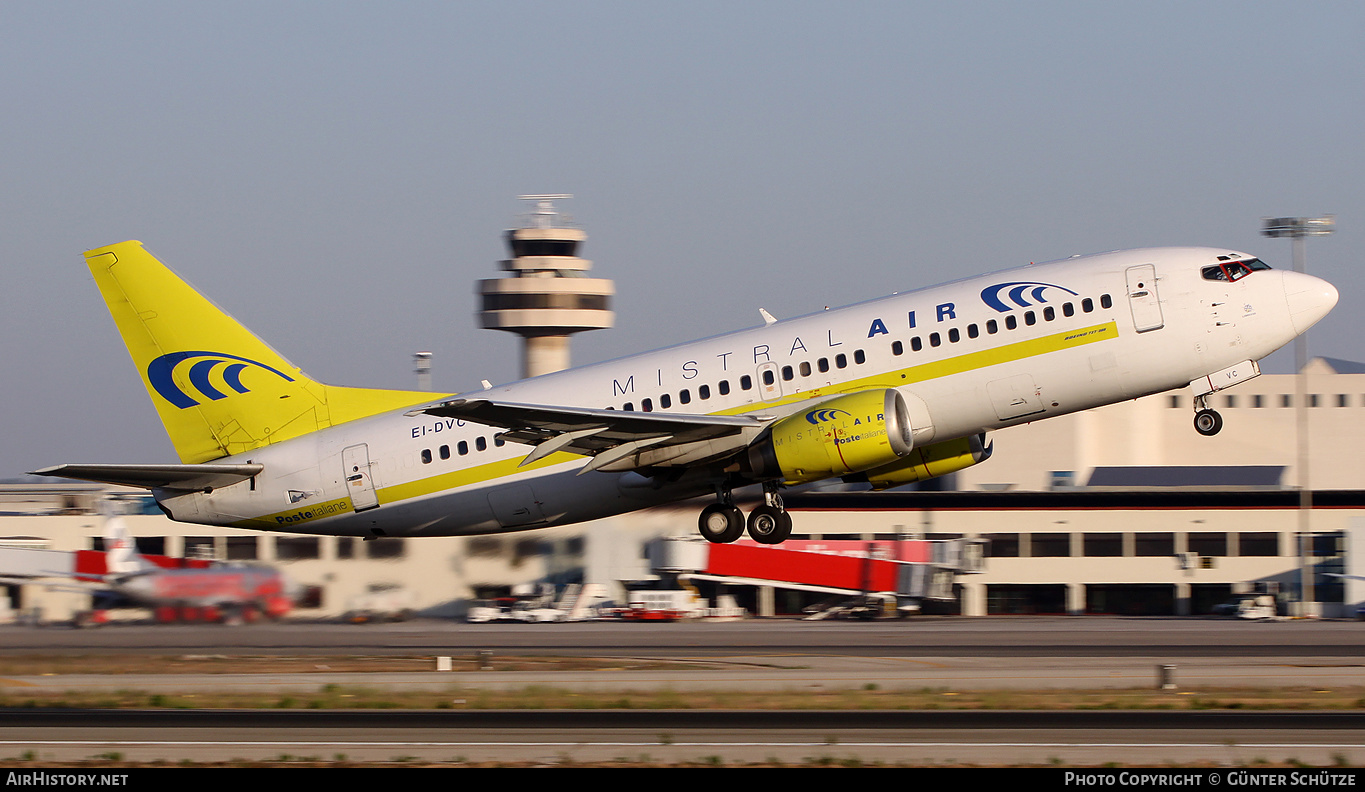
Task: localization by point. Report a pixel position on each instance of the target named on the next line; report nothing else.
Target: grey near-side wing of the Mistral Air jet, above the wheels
(611, 436)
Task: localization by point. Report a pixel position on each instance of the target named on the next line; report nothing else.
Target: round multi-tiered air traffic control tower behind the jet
(548, 297)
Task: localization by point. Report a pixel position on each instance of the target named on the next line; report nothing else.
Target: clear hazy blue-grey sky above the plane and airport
(338, 175)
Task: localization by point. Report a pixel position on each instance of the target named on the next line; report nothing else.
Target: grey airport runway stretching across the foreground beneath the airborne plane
(944, 655)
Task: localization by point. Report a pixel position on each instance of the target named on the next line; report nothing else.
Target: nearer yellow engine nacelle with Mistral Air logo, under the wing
(839, 436)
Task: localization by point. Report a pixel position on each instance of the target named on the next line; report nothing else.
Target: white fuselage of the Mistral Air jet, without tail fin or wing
(970, 357)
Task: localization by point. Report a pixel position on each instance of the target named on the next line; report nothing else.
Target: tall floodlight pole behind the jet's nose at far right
(1299, 229)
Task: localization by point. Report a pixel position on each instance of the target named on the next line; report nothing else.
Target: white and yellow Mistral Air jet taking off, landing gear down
(888, 393)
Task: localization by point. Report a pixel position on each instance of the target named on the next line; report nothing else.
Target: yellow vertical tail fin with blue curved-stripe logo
(218, 388)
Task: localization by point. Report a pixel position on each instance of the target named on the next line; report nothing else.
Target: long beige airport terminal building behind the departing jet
(1121, 510)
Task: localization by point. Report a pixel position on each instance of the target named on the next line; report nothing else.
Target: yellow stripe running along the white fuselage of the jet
(893, 379)
